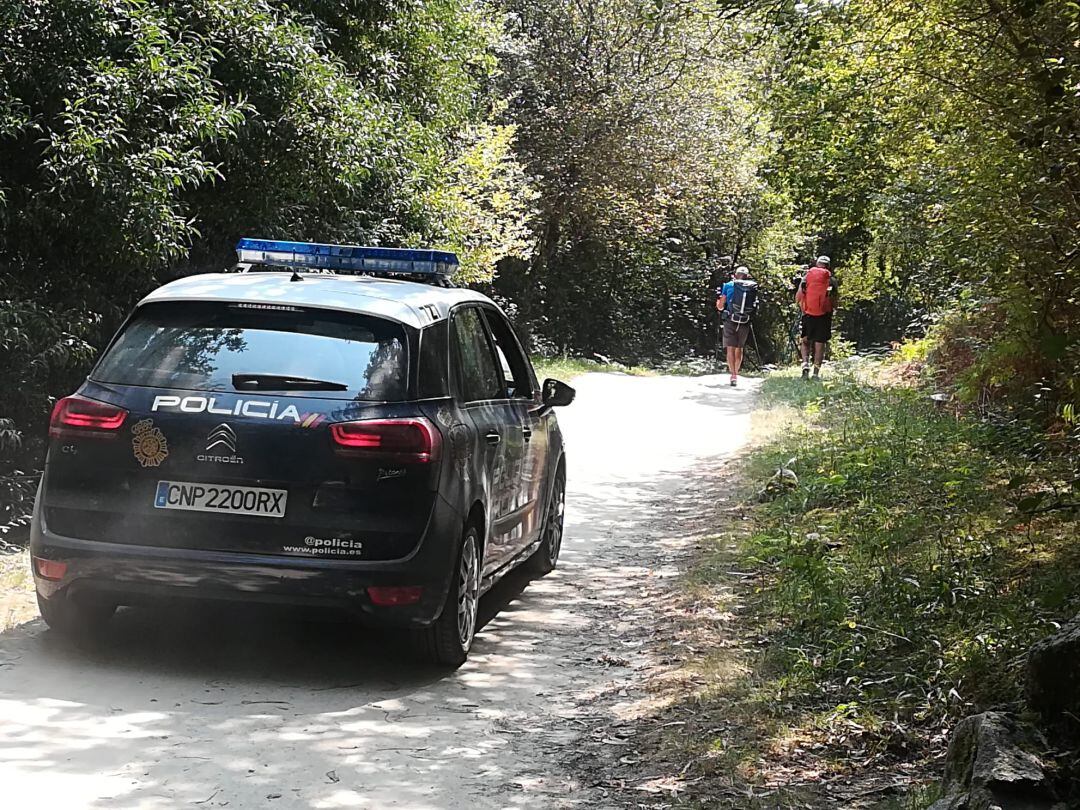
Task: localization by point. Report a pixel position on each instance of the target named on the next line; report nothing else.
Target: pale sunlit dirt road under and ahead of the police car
(251, 710)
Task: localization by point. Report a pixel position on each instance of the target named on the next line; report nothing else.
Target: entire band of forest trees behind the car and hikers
(591, 163)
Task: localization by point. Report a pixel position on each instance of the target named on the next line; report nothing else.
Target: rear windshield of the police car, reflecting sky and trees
(200, 347)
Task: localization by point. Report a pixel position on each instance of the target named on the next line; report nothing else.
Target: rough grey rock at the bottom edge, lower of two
(991, 767)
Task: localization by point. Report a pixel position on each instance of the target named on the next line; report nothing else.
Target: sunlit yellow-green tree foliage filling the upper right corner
(937, 144)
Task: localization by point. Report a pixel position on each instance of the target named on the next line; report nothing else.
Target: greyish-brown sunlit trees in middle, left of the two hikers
(636, 119)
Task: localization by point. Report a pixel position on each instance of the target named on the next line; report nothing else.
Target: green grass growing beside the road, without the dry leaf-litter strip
(895, 588)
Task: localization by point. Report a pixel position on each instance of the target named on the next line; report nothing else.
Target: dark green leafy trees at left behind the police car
(140, 140)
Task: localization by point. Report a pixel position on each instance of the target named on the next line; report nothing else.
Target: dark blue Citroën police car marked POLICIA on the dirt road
(326, 426)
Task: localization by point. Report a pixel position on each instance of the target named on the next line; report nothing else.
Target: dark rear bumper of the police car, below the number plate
(131, 575)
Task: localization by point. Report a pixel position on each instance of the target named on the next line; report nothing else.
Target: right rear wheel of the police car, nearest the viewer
(448, 642)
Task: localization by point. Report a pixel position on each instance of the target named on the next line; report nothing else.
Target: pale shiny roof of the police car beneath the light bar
(410, 303)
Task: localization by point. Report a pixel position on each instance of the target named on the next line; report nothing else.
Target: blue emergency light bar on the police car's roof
(347, 260)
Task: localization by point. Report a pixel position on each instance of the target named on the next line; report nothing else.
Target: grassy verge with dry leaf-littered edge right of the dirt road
(883, 563)
